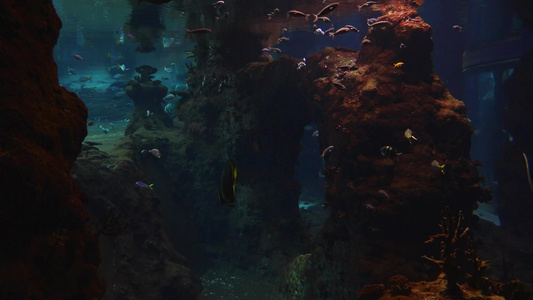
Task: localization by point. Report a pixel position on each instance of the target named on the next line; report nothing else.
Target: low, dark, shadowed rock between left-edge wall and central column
(139, 256)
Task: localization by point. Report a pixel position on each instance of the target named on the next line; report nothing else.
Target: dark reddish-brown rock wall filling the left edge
(47, 251)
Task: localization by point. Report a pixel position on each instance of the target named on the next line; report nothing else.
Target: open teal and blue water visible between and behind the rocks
(112, 43)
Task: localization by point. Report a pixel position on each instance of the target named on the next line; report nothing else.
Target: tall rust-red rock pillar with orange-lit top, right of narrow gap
(385, 202)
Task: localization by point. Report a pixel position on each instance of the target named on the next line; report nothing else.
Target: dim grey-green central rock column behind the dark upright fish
(255, 117)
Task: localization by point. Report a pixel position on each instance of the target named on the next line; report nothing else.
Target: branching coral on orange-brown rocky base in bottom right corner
(463, 272)
